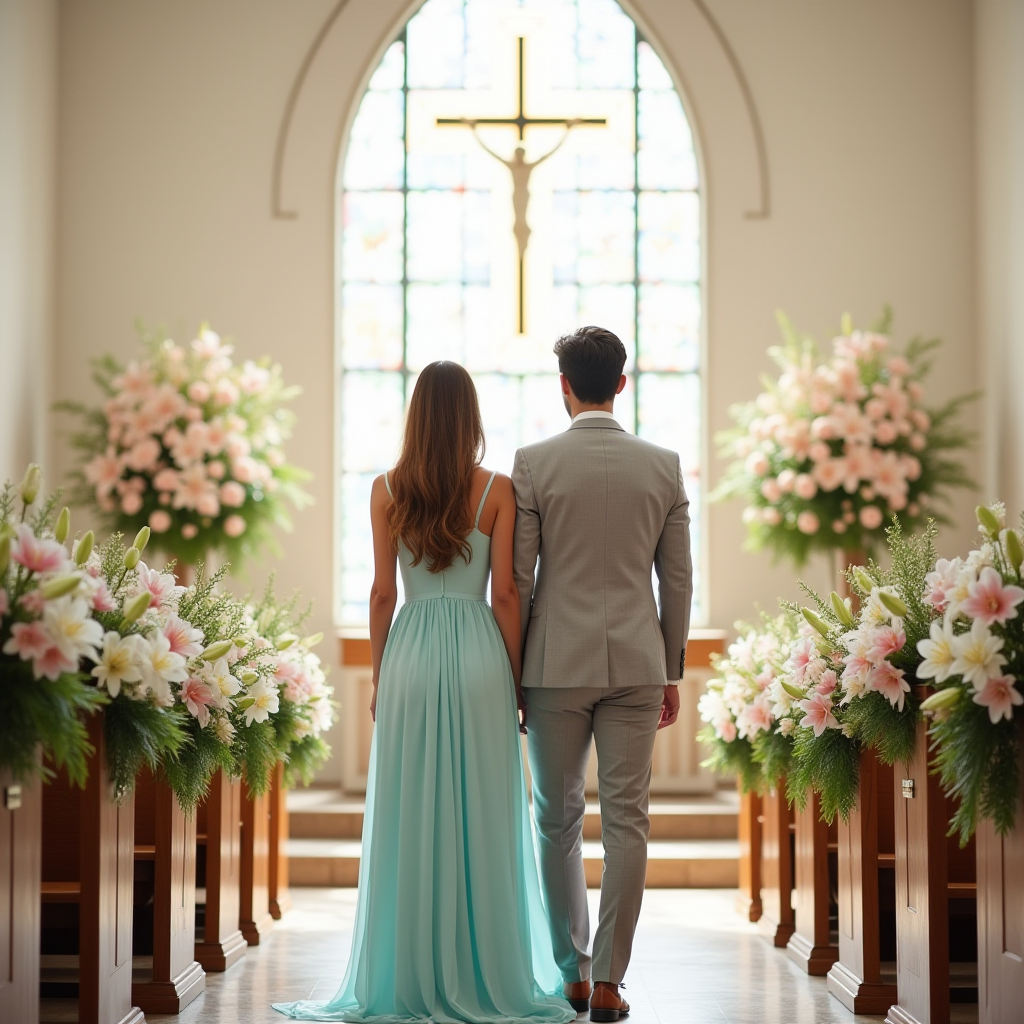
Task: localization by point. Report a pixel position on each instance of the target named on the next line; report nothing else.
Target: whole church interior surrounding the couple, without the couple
(328, 196)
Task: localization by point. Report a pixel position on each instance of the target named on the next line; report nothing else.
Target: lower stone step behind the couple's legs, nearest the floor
(671, 864)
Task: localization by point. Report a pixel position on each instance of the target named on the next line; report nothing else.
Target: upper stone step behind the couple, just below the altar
(330, 815)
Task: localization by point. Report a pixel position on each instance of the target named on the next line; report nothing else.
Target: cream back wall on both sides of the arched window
(169, 117)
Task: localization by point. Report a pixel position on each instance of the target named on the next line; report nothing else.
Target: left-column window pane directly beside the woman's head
(372, 419)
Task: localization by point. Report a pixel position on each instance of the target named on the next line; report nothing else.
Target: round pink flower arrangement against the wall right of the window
(834, 449)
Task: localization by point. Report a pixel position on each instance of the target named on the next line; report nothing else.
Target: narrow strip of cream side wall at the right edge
(1000, 62)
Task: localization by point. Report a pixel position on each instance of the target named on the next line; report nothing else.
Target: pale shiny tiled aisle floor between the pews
(695, 961)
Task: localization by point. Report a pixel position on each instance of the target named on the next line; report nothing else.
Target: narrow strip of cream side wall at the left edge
(28, 136)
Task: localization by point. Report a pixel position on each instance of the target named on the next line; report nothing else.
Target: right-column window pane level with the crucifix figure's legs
(670, 237)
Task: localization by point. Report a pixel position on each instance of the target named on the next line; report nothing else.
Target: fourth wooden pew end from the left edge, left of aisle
(219, 843)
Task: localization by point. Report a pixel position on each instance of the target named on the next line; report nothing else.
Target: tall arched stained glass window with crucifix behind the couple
(434, 262)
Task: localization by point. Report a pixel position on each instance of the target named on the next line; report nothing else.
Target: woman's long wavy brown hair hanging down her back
(432, 482)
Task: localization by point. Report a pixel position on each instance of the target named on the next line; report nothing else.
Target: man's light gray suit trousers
(623, 722)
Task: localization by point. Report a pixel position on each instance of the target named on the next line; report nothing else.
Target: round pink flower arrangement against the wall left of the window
(190, 444)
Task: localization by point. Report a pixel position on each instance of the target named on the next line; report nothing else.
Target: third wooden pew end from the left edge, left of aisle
(165, 868)
